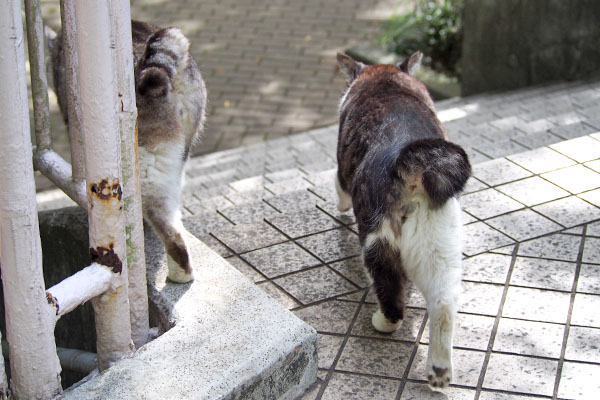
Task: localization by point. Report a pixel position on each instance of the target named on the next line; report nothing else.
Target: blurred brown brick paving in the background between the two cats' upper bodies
(269, 65)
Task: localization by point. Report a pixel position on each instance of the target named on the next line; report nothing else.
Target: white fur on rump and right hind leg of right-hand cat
(430, 247)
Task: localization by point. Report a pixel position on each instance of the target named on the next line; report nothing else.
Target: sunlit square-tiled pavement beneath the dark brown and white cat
(528, 326)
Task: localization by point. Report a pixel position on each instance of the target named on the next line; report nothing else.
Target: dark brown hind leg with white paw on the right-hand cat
(389, 282)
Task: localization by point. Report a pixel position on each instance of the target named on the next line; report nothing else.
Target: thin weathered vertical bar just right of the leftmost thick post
(39, 84)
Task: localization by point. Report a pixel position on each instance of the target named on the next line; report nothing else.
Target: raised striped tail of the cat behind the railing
(165, 57)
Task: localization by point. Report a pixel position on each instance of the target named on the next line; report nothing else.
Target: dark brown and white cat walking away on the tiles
(402, 177)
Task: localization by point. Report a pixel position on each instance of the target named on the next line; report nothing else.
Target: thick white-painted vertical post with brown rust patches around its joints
(100, 126)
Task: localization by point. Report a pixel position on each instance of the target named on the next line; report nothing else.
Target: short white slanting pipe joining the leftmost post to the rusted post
(78, 288)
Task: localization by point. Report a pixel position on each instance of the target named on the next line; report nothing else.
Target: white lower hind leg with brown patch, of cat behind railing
(167, 224)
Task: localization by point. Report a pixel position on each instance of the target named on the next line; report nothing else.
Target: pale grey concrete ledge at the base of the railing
(228, 340)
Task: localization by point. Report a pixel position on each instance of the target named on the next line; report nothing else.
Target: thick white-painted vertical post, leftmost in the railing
(35, 369)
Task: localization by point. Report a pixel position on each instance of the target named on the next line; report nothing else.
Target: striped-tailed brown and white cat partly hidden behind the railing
(171, 102)
